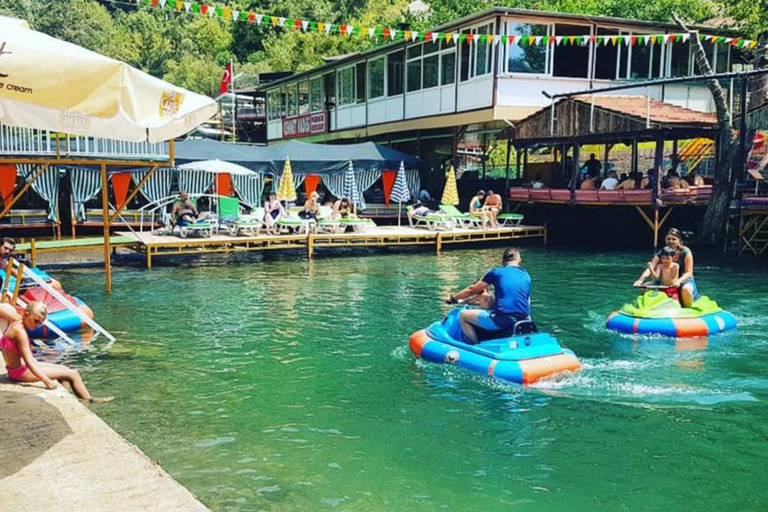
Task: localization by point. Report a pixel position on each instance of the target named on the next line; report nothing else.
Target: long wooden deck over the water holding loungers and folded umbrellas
(156, 246)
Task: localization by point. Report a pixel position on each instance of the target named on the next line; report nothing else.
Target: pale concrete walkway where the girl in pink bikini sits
(56, 455)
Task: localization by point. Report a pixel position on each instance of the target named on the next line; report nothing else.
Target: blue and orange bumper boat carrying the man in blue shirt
(521, 355)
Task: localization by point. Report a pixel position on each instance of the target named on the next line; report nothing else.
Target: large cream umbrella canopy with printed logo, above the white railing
(53, 85)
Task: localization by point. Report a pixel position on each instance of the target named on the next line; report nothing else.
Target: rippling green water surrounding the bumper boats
(282, 385)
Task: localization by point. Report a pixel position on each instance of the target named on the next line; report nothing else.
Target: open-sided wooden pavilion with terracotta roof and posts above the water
(572, 122)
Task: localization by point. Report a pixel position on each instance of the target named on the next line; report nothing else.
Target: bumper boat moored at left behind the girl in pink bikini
(58, 313)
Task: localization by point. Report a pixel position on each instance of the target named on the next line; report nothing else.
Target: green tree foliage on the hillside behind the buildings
(191, 50)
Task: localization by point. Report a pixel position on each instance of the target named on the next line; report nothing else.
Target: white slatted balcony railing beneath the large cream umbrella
(16, 141)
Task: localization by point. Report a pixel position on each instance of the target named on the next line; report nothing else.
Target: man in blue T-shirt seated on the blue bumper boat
(512, 298)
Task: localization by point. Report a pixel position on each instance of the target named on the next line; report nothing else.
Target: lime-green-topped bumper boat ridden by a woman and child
(654, 312)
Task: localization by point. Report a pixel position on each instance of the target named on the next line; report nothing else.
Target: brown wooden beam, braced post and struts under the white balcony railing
(44, 162)
